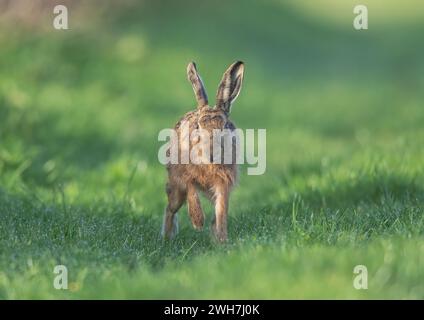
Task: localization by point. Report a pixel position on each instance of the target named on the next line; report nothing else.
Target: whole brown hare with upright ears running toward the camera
(215, 179)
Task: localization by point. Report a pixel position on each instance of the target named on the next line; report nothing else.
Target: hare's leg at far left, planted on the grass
(176, 198)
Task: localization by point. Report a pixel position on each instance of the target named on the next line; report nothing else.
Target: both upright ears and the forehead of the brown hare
(216, 117)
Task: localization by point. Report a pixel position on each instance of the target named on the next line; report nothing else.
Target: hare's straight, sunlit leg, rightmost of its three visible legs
(219, 226)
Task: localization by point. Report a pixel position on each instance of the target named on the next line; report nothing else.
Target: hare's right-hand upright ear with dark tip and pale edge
(230, 86)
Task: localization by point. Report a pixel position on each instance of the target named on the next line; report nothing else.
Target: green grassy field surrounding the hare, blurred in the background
(81, 186)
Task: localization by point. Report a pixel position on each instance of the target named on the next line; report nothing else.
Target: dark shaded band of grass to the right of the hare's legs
(376, 203)
